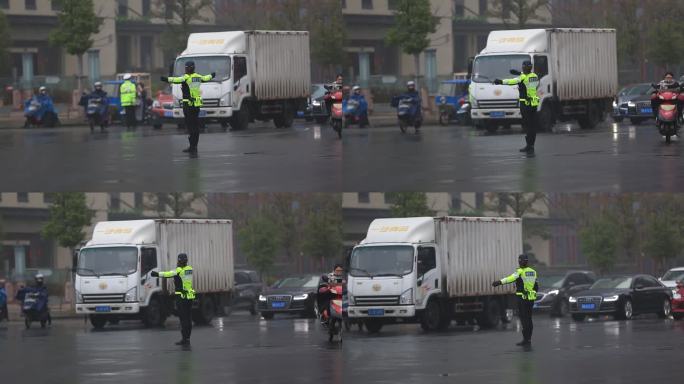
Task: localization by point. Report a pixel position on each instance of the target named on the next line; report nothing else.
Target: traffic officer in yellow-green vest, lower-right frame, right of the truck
(526, 286)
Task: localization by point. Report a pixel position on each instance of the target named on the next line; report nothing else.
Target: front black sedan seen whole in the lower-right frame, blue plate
(623, 297)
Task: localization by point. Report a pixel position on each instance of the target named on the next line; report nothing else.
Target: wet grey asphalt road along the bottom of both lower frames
(243, 349)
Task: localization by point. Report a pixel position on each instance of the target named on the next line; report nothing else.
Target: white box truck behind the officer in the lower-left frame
(113, 280)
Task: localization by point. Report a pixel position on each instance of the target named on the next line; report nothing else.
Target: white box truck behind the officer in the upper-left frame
(260, 75)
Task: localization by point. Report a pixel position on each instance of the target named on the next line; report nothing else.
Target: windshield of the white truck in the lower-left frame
(109, 261)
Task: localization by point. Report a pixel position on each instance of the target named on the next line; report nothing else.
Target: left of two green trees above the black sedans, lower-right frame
(598, 243)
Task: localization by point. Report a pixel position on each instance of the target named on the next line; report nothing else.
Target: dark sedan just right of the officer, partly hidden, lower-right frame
(555, 289)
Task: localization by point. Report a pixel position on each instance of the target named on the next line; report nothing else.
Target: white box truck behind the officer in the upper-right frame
(577, 69)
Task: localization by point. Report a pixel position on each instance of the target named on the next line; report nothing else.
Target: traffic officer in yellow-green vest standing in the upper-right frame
(527, 83)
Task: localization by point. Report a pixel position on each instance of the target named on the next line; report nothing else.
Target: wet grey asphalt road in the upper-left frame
(304, 158)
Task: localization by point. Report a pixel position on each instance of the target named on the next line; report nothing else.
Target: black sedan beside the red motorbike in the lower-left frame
(296, 294)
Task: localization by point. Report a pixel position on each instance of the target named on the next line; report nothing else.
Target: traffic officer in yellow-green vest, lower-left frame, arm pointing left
(182, 280)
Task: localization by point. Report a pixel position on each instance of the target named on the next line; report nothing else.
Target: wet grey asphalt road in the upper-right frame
(610, 158)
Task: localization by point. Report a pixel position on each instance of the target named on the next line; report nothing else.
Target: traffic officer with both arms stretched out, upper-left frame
(192, 100)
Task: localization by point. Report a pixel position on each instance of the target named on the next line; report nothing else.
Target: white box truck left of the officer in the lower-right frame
(433, 271)
